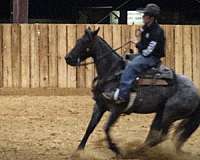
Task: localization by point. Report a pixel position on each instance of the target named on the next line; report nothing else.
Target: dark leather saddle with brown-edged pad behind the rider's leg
(158, 76)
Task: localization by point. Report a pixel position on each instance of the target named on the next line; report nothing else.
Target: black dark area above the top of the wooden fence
(67, 11)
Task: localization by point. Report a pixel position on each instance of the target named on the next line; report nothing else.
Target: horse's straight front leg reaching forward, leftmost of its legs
(96, 117)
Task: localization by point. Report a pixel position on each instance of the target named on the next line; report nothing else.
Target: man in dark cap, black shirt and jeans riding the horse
(151, 48)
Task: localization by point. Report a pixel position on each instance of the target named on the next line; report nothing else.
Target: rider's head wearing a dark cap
(151, 12)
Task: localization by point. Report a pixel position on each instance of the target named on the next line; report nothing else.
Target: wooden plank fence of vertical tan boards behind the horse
(32, 55)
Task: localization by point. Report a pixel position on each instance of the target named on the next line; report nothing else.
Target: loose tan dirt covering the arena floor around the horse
(51, 127)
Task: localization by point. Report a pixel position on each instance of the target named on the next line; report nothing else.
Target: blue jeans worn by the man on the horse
(136, 66)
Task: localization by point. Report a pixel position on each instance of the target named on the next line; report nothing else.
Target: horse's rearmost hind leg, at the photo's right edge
(185, 130)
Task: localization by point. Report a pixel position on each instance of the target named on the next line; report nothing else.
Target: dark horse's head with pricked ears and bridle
(83, 48)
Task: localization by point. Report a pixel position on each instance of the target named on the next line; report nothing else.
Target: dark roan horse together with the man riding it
(178, 100)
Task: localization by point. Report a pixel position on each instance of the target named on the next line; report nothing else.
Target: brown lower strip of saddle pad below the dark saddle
(152, 82)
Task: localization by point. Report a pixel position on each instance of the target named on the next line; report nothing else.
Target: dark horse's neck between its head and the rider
(110, 63)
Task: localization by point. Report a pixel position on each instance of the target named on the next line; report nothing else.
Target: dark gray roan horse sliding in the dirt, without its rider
(179, 101)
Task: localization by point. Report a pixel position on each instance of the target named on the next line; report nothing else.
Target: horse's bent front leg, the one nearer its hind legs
(112, 119)
